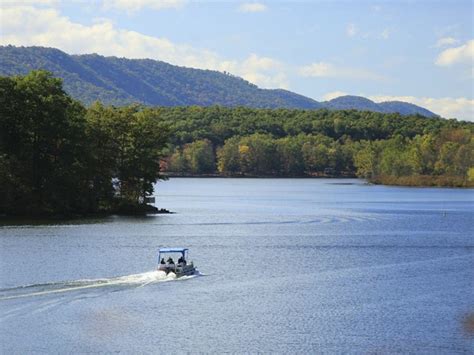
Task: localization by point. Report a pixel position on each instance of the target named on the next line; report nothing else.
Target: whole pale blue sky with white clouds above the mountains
(420, 52)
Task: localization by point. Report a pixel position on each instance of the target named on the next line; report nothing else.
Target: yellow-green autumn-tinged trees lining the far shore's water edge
(444, 159)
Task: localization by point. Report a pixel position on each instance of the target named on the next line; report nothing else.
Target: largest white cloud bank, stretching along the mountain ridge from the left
(28, 26)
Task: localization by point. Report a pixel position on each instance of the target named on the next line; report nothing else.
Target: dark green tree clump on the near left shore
(59, 158)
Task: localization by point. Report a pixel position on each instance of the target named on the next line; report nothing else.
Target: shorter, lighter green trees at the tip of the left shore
(128, 145)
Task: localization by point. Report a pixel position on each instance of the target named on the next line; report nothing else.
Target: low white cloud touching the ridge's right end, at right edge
(448, 107)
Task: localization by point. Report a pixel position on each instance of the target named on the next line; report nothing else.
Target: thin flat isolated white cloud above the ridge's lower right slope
(329, 70)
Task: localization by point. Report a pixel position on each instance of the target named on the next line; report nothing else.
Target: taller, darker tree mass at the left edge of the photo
(41, 144)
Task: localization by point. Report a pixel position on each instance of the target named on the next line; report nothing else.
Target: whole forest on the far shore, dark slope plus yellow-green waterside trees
(388, 148)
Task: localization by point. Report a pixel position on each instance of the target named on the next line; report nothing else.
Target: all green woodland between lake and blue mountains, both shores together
(59, 158)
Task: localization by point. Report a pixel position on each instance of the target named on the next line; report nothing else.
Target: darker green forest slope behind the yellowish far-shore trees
(217, 124)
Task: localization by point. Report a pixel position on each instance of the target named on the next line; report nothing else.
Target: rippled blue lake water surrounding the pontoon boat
(286, 266)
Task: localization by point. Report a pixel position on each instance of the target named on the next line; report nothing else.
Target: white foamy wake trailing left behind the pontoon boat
(113, 284)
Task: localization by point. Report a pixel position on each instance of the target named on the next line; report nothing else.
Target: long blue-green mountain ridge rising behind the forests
(121, 81)
